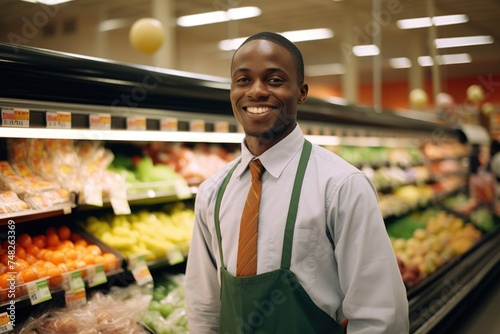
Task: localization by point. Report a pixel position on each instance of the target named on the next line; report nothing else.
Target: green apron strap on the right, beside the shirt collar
(286, 255)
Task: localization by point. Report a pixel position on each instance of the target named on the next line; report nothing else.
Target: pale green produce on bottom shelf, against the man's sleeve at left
(166, 313)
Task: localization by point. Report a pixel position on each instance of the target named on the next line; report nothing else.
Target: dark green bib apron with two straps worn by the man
(272, 302)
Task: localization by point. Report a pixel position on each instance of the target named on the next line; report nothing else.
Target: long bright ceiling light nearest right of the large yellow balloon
(218, 16)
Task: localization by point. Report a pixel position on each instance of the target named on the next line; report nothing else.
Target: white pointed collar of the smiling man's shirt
(277, 157)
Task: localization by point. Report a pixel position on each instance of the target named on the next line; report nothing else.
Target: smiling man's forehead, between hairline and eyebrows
(257, 51)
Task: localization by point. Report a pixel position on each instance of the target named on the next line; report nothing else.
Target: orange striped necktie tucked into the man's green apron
(246, 264)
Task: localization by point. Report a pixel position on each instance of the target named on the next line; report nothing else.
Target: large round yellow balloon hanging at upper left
(146, 35)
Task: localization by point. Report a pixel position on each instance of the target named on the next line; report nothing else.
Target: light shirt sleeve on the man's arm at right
(375, 298)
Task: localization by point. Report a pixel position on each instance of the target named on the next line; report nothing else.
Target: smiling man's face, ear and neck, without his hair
(265, 93)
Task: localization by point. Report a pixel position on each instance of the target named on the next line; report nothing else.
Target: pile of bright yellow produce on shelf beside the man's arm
(155, 234)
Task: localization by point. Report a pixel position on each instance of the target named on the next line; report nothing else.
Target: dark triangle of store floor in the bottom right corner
(484, 316)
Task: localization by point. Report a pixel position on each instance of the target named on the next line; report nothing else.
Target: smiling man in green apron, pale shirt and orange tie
(318, 254)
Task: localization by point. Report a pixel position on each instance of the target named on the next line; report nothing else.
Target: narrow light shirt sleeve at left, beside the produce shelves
(201, 282)
